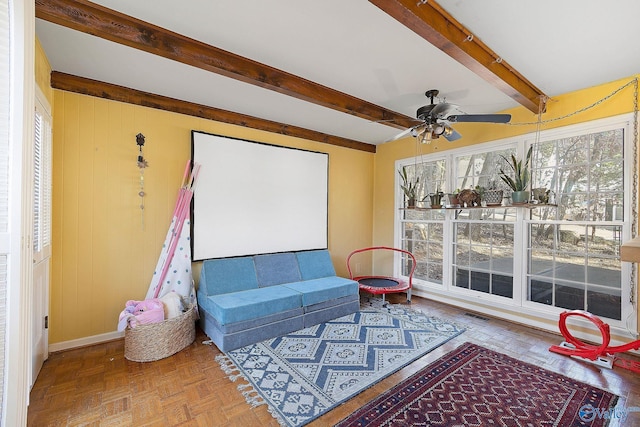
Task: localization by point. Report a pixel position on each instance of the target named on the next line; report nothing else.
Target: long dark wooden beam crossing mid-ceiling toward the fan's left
(111, 25)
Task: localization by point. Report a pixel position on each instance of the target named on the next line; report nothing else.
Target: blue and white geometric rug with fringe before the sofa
(306, 373)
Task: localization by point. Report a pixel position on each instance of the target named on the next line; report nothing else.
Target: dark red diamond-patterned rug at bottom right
(475, 386)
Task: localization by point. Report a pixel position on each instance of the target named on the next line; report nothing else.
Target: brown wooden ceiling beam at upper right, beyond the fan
(430, 21)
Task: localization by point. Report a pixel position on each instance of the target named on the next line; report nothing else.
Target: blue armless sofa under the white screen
(245, 300)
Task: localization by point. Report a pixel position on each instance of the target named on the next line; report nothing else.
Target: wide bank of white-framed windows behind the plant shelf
(542, 259)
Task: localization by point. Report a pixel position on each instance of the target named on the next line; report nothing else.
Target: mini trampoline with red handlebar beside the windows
(382, 285)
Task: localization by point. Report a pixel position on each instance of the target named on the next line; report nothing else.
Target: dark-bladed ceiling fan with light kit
(436, 118)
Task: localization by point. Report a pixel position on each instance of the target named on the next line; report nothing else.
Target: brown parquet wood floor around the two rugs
(97, 386)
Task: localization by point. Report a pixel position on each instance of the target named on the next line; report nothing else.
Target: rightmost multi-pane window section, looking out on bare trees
(573, 252)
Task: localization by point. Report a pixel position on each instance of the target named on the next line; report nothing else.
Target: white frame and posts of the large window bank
(491, 304)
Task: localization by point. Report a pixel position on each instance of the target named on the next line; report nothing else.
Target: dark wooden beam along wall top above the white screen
(113, 92)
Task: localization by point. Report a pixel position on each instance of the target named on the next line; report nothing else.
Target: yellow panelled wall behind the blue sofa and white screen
(105, 248)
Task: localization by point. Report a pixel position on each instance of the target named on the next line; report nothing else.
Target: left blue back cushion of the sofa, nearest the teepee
(225, 275)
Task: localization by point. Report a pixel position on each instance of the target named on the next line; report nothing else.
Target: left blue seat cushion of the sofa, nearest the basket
(252, 304)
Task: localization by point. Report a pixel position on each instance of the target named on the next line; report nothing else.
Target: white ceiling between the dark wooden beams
(356, 48)
